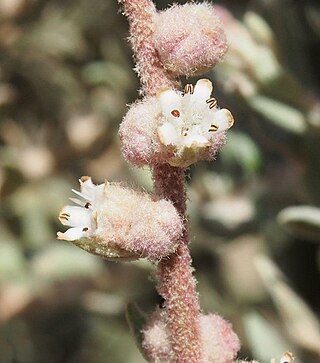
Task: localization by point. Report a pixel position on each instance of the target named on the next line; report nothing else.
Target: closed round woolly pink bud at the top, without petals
(189, 39)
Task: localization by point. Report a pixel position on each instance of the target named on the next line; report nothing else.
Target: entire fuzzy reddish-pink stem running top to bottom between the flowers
(176, 283)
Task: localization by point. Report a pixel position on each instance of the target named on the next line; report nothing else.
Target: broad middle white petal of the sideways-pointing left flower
(75, 216)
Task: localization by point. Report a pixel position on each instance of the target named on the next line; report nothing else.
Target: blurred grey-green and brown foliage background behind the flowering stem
(65, 79)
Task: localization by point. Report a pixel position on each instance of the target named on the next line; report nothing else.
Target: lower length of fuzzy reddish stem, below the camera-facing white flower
(175, 281)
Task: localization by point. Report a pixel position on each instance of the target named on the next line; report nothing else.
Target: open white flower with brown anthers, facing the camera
(192, 120)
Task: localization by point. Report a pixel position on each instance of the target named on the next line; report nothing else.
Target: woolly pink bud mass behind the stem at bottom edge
(220, 344)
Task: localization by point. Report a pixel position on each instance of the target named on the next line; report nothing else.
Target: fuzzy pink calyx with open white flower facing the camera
(178, 128)
